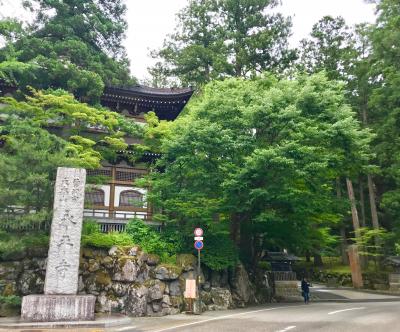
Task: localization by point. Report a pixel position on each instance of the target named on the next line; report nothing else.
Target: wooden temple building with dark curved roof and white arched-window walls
(117, 199)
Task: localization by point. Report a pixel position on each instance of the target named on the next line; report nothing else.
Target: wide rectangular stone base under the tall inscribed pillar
(54, 308)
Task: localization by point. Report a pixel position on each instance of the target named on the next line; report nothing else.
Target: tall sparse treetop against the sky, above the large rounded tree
(217, 39)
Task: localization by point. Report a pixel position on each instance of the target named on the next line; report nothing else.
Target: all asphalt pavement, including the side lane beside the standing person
(333, 310)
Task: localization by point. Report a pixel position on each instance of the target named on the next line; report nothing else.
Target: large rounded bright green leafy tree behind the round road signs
(258, 159)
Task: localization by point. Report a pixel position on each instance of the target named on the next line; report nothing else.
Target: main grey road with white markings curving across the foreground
(326, 317)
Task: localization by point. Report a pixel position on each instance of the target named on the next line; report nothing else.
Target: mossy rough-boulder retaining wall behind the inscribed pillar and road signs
(129, 281)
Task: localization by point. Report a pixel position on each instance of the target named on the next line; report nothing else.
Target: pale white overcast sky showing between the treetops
(151, 20)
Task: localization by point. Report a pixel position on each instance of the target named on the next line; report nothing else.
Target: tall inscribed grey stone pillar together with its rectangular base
(60, 301)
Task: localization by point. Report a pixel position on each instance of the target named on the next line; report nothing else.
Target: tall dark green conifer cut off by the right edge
(385, 104)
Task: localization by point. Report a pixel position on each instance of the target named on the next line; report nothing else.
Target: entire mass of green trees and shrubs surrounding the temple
(261, 158)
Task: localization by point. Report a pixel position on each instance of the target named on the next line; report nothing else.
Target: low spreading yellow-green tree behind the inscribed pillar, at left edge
(47, 130)
